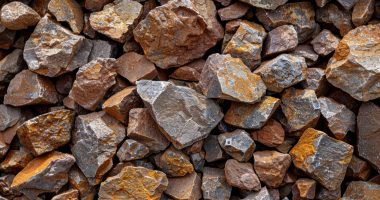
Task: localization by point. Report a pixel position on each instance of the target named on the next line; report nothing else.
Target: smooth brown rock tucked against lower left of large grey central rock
(143, 128)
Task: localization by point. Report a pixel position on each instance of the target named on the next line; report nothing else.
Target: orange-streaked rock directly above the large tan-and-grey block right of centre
(247, 43)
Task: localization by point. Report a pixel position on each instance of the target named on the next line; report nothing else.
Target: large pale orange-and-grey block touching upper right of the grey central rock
(228, 78)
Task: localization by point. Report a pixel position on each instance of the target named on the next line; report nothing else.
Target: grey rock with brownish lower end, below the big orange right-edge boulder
(340, 119)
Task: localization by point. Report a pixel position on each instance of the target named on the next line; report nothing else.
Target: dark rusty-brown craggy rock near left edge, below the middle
(46, 132)
